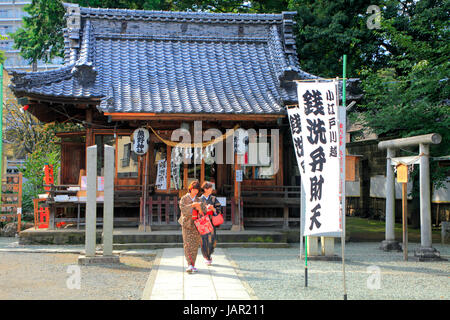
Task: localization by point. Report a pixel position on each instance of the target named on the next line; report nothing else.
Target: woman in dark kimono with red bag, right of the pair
(213, 207)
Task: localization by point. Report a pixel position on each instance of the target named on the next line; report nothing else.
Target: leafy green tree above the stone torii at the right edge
(409, 96)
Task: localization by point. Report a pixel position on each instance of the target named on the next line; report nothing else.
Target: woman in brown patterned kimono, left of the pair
(190, 206)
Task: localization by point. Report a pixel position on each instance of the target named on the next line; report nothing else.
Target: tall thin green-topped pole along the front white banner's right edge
(343, 120)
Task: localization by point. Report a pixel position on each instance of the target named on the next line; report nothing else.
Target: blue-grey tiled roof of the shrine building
(173, 62)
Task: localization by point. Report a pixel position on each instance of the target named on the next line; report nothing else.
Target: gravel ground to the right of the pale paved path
(279, 274)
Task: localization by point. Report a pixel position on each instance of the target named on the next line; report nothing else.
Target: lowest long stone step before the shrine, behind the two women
(130, 246)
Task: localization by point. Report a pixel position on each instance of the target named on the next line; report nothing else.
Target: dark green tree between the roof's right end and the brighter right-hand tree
(329, 29)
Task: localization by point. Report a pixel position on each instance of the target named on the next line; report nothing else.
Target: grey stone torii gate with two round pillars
(426, 251)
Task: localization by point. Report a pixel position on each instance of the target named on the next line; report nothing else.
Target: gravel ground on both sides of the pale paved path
(271, 273)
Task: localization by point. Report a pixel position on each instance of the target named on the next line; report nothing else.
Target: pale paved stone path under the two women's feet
(170, 281)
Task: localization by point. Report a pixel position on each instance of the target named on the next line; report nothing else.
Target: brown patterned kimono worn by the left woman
(191, 236)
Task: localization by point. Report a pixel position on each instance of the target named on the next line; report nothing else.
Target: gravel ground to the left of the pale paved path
(26, 275)
